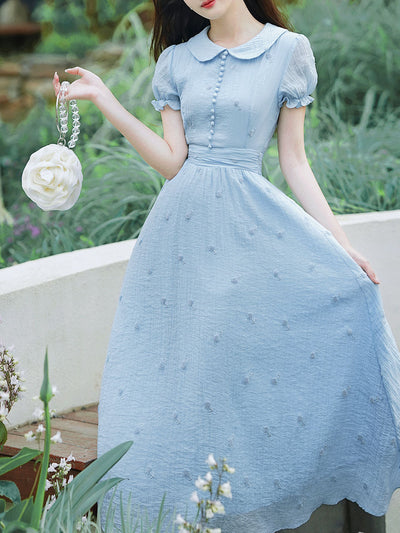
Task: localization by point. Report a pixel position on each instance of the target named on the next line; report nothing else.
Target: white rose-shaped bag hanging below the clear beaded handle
(52, 177)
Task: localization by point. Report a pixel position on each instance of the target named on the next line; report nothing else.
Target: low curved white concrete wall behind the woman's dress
(68, 301)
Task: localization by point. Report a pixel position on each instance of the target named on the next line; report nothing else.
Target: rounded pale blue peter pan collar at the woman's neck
(204, 49)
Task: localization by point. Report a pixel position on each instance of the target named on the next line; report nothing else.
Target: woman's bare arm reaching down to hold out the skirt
(301, 180)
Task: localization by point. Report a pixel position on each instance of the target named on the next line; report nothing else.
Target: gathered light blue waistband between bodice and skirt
(245, 158)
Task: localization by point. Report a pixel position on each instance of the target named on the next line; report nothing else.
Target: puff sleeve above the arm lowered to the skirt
(300, 77)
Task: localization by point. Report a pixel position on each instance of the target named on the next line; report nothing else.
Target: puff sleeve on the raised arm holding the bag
(163, 85)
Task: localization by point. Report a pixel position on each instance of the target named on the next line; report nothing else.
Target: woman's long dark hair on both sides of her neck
(175, 22)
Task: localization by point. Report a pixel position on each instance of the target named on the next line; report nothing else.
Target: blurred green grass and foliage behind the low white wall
(352, 127)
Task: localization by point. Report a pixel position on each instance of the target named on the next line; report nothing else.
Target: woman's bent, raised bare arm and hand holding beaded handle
(166, 155)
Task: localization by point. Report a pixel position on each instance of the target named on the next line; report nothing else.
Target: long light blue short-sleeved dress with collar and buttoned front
(243, 327)
